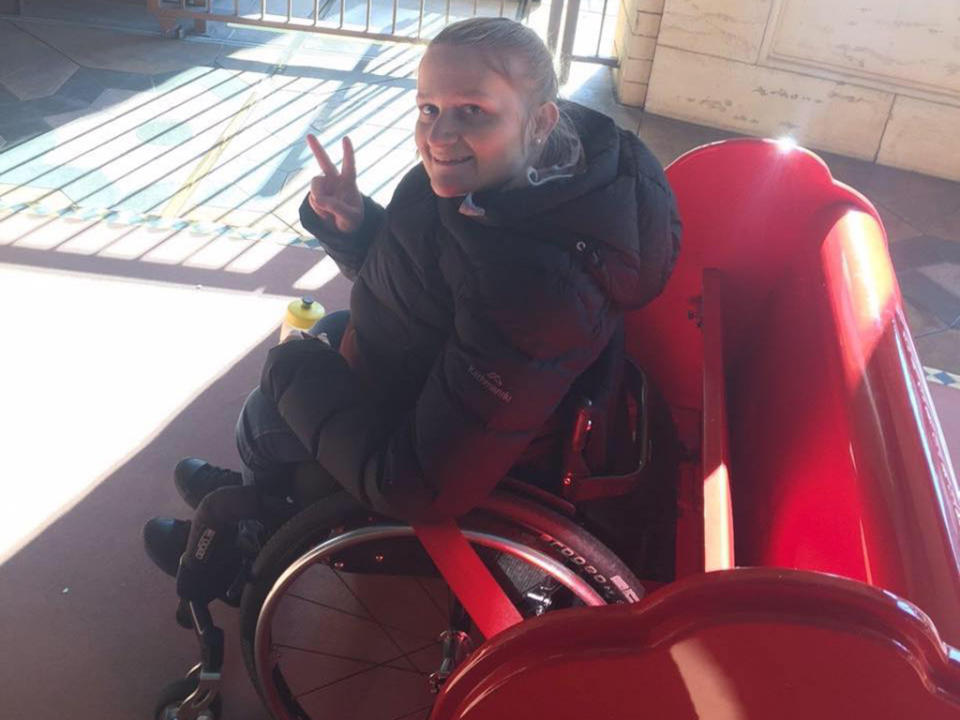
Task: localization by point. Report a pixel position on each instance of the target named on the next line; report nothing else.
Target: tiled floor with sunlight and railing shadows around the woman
(148, 244)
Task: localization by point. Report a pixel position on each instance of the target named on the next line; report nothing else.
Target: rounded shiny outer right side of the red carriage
(907, 492)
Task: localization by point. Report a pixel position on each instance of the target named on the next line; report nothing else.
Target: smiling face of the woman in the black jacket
(475, 130)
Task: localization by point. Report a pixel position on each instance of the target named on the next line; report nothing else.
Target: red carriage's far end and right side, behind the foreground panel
(837, 461)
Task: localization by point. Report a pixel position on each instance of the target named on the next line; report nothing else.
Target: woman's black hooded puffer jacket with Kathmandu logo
(469, 330)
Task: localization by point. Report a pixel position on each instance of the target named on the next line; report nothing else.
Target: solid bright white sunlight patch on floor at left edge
(94, 367)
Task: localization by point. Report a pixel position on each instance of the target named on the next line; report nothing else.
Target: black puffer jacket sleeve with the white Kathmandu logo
(504, 369)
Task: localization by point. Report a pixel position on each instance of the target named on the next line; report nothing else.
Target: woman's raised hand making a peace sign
(334, 195)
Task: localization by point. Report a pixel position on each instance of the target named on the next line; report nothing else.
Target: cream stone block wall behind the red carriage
(877, 80)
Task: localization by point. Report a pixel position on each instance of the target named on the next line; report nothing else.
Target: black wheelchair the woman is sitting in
(344, 614)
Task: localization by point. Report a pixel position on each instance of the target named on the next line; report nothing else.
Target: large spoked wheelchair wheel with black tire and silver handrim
(346, 615)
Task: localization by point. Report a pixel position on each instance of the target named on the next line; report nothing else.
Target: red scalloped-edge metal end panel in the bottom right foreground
(747, 644)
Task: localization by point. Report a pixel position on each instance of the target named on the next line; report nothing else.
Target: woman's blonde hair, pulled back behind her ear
(500, 40)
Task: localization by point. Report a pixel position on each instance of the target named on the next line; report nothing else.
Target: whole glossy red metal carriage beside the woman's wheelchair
(817, 547)
